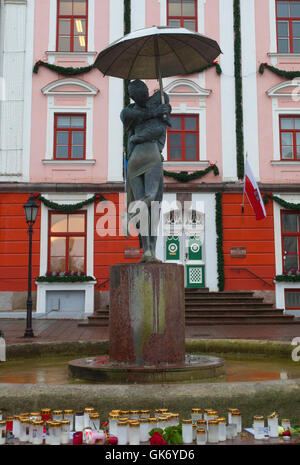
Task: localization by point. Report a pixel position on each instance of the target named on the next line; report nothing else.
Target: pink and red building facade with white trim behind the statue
(62, 138)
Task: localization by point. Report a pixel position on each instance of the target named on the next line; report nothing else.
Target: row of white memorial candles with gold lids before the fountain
(130, 426)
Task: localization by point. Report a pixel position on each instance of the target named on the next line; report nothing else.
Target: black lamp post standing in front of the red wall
(31, 210)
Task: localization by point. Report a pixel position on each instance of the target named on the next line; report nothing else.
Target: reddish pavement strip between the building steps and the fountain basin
(69, 330)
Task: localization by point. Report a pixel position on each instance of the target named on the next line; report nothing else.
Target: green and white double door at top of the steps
(187, 250)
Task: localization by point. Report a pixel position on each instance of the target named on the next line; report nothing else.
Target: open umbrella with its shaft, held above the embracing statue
(157, 52)
